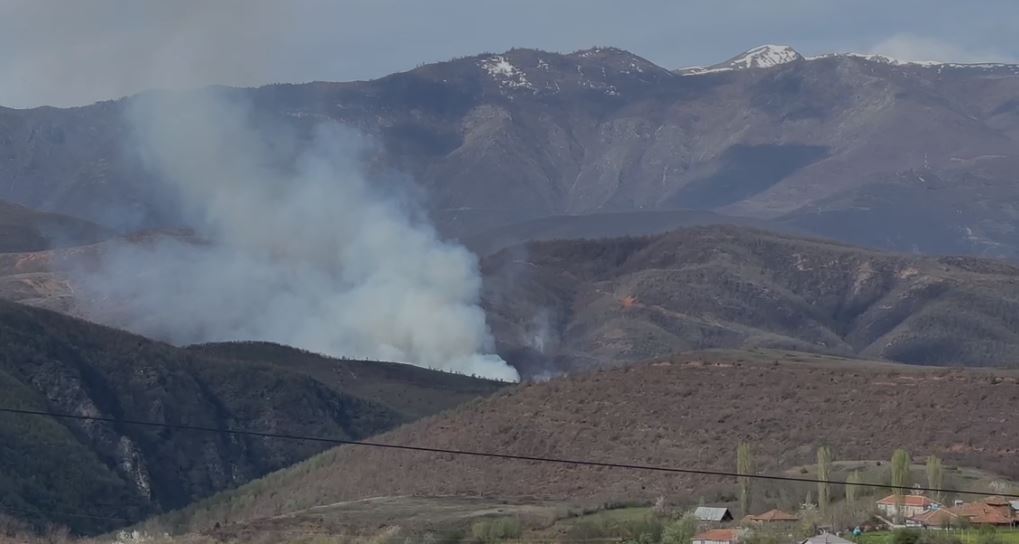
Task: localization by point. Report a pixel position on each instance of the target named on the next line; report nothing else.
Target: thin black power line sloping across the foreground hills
(487, 455)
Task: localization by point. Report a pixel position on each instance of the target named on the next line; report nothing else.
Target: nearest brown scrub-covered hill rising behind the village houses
(686, 412)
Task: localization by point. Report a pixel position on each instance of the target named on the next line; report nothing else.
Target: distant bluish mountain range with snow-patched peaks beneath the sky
(915, 157)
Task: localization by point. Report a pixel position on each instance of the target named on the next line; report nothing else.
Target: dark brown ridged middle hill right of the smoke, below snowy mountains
(572, 305)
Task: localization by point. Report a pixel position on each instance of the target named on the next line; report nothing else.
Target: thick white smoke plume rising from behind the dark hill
(301, 252)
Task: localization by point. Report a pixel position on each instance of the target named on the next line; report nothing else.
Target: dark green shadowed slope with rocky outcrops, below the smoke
(49, 361)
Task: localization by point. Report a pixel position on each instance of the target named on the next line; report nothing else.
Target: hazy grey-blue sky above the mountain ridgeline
(70, 52)
